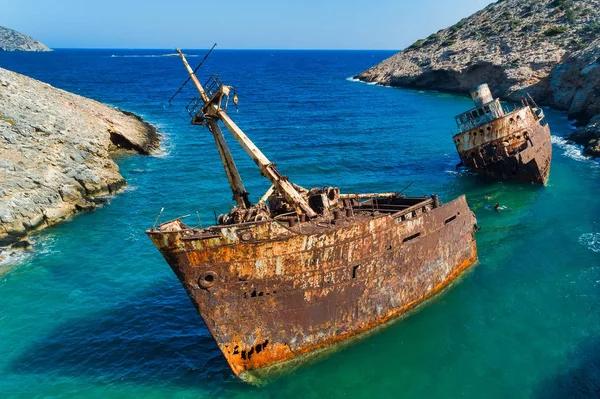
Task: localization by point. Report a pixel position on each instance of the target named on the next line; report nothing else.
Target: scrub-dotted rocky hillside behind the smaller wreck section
(548, 48)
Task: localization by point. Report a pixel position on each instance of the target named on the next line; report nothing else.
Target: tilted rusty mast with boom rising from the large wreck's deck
(210, 113)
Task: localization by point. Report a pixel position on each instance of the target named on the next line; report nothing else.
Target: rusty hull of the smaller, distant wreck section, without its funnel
(514, 147)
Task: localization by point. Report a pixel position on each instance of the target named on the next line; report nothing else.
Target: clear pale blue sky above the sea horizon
(240, 24)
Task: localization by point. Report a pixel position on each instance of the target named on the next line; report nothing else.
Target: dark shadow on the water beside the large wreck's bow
(156, 336)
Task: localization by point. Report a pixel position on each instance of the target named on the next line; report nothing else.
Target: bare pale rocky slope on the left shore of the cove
(55, 153)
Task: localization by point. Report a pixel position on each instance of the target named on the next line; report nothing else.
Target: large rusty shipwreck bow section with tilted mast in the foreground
(301, 270)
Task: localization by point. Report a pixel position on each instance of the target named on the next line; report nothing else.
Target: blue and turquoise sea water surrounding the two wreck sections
(94, 311)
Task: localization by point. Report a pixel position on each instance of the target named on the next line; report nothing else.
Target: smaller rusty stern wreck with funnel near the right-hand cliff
(507, 145)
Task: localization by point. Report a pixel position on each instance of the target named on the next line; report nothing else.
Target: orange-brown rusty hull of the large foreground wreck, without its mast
(274, 294)
